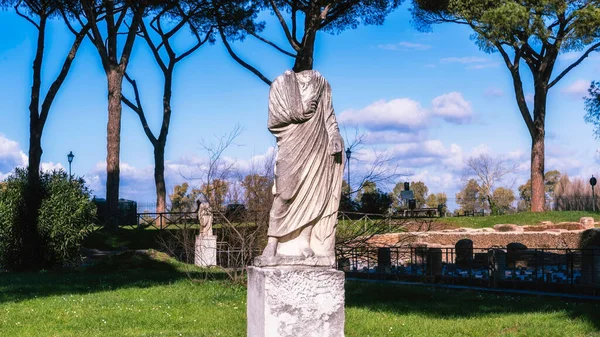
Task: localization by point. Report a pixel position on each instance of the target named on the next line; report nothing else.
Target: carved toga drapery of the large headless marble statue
(308, 170)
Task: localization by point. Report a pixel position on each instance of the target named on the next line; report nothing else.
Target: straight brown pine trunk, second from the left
(115, 82)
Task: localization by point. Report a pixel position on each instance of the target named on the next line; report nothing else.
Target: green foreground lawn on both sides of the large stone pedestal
(158, 297)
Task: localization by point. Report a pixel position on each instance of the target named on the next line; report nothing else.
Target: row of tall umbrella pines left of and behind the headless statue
(113, 26)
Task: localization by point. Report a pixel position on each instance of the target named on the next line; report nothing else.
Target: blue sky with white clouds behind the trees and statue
(426, 100)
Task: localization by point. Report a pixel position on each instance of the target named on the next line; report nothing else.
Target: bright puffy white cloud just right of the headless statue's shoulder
(400, 114)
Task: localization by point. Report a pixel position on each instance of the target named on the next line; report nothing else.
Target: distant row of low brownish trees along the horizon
(254, 191)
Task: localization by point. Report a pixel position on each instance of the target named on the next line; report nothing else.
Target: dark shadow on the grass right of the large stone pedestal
(453, 303)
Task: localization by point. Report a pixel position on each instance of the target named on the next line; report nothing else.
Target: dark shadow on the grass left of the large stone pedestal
(126, 270)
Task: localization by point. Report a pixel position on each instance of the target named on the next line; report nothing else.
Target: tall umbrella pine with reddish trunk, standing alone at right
(532, 33)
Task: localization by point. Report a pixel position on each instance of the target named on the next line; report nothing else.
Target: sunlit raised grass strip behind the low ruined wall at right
(522, 219)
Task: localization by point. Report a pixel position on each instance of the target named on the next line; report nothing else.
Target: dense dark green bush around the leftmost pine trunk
(64, 218)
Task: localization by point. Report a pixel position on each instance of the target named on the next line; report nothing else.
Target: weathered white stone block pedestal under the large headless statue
(293, 301)
